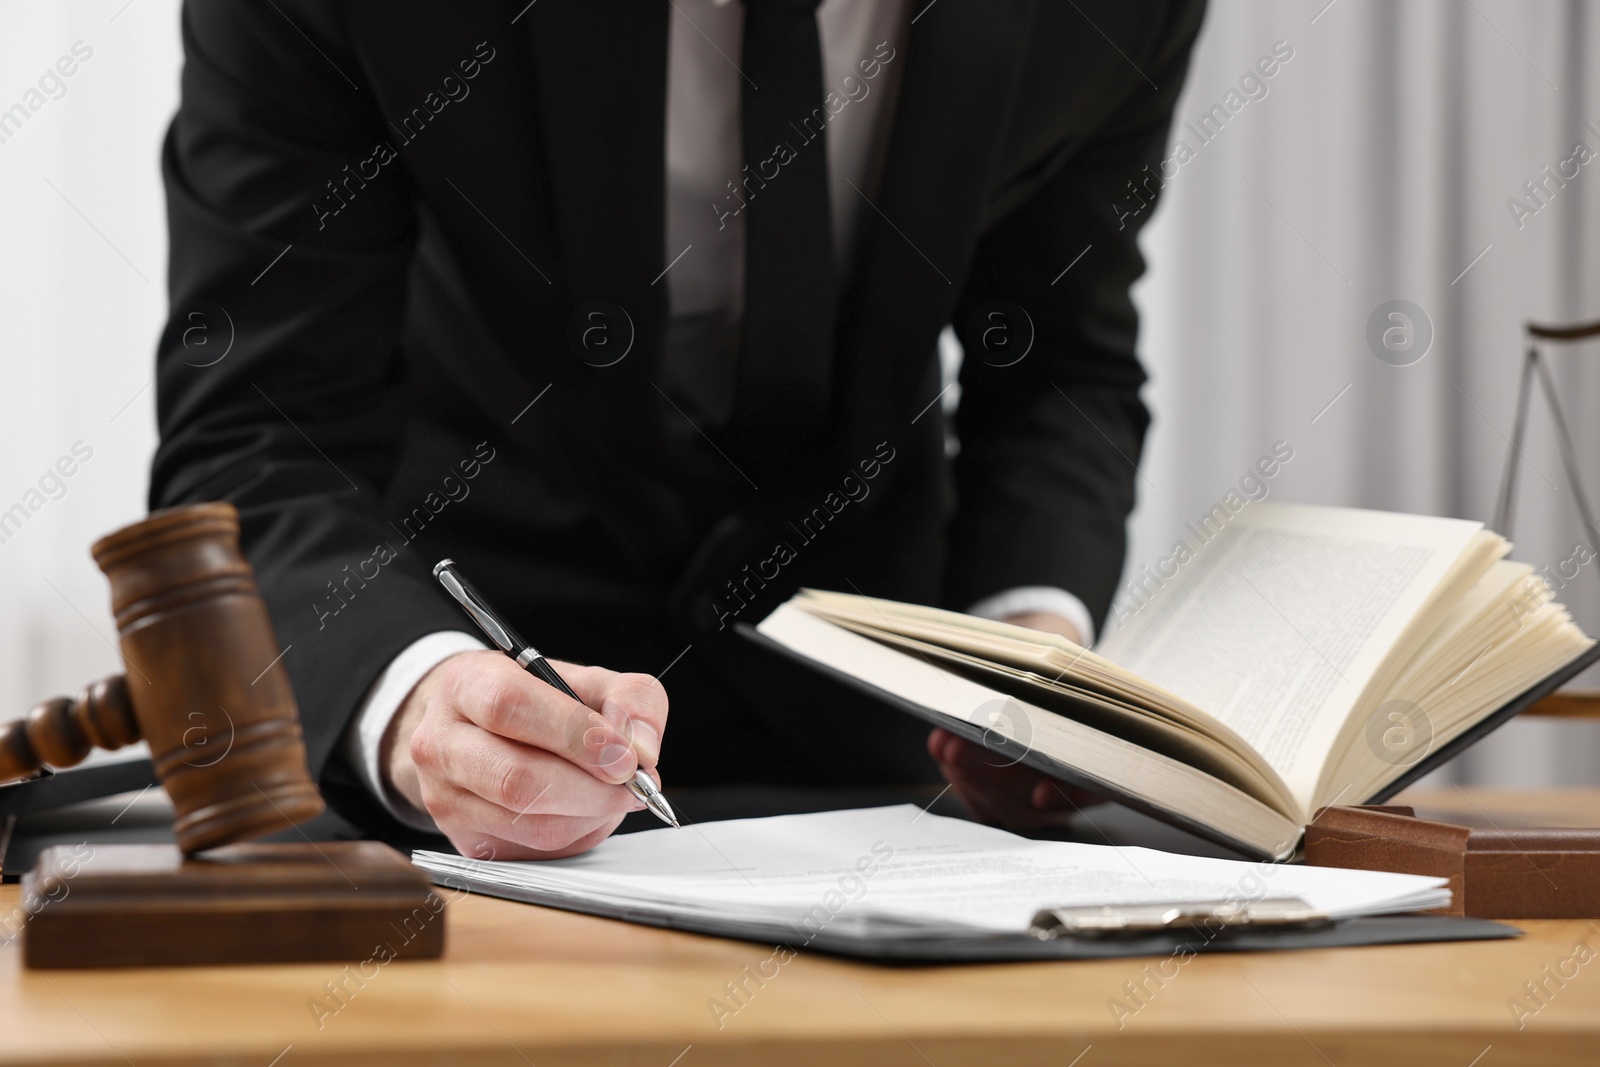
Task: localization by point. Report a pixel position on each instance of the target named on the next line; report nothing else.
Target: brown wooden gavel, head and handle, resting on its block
(206, 685)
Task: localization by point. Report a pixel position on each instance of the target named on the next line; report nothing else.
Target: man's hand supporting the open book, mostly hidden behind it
(999, 791)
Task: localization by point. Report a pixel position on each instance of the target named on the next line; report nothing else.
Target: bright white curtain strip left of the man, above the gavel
(82, 302)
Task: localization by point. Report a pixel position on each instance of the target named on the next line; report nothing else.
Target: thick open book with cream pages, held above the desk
(1305, 657)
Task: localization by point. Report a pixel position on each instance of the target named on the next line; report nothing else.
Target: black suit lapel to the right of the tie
(962, 70)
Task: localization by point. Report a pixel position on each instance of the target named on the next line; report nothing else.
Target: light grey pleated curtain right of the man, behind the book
(1378, 167)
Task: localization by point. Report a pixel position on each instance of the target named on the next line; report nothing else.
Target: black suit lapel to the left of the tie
(599, 79)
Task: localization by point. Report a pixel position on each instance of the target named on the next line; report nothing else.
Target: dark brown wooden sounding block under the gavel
(150, 905)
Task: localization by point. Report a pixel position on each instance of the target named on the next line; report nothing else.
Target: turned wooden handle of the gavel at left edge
(62, 732)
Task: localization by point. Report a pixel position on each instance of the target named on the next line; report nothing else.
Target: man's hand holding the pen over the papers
(513, 769)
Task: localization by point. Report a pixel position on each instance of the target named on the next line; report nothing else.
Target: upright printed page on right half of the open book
(1279, 621)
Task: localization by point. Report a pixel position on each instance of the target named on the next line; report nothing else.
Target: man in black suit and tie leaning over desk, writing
(633, 308)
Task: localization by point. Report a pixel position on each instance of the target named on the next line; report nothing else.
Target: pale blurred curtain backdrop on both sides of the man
(1383, 162)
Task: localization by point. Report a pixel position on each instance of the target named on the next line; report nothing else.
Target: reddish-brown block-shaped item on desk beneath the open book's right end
(1495, 873)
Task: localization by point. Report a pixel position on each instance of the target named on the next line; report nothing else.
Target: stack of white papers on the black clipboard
(882, 873)
